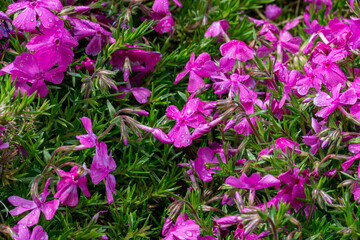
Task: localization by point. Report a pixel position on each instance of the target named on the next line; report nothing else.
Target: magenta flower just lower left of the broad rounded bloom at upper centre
(194, 67)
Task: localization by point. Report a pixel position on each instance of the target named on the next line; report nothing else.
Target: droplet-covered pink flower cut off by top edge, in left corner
(27, 19)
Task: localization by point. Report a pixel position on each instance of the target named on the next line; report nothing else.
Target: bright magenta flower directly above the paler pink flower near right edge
(329, 70)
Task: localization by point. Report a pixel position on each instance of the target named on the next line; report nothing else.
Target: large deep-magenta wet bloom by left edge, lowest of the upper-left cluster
(35, 69)
